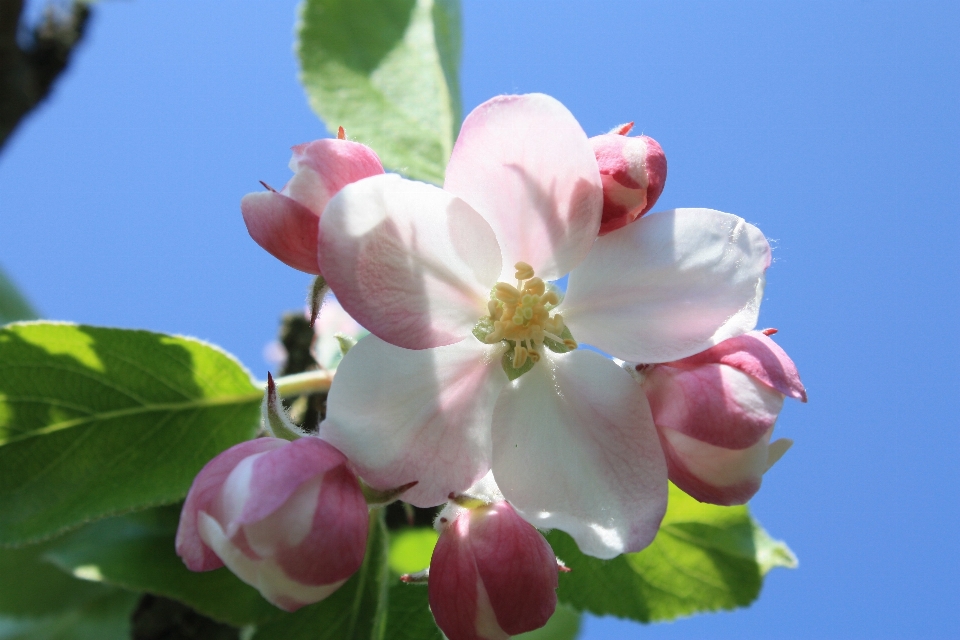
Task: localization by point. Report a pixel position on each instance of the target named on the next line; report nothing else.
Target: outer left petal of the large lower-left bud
(203, 493)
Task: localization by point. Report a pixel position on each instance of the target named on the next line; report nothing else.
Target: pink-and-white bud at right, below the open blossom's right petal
(715, 413)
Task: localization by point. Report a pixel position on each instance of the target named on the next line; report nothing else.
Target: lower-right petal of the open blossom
(575, 448)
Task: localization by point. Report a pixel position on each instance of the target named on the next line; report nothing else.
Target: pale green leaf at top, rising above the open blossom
(387, 71)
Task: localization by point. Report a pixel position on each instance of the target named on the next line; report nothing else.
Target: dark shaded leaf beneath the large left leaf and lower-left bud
(136, 552)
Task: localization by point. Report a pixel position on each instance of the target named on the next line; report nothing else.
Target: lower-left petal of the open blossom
(401, 415)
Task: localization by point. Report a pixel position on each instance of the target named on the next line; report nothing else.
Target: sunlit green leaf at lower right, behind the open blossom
(704, 558)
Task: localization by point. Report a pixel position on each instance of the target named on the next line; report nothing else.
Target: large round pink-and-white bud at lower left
(288, 518)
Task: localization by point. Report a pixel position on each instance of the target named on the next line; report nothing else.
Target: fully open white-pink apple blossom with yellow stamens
(452, 283)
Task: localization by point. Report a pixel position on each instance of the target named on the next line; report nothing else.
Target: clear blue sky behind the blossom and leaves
(833, 126)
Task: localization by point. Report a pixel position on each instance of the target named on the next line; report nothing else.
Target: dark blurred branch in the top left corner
(32, 59)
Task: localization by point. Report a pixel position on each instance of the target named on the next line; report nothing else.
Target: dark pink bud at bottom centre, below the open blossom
(492, 575)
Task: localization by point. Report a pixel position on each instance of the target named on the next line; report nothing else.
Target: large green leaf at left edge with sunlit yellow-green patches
(95, 422)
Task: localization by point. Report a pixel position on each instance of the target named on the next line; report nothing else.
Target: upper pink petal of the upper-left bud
(323, 167)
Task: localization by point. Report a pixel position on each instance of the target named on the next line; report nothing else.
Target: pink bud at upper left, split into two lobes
(286, 223)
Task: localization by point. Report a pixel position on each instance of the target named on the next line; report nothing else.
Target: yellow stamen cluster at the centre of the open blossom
(521, 315)
